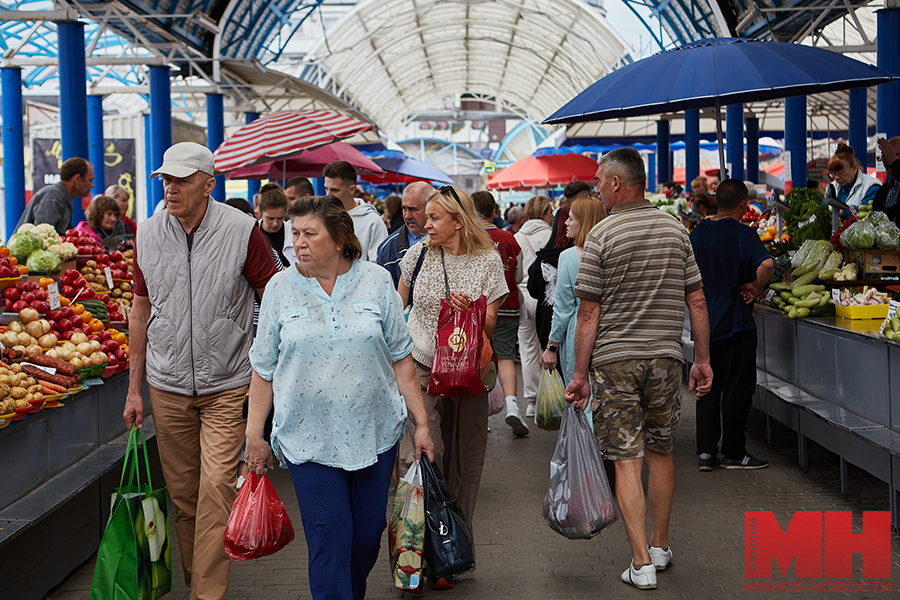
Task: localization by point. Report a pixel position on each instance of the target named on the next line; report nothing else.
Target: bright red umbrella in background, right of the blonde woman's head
(544, 171)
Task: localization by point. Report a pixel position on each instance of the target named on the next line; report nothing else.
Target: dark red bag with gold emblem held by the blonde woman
(457, 351)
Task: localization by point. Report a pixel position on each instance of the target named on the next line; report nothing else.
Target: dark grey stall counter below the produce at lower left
(55, 498)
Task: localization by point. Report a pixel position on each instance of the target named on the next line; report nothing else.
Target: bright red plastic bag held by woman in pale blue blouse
(258, 525)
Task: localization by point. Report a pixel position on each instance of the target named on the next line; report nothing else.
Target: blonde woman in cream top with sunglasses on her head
(459, 263)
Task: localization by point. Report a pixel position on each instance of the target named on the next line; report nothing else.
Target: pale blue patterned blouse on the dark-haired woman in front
(330, 360)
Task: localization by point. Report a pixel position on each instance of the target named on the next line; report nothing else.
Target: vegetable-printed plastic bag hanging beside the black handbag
(406, 535)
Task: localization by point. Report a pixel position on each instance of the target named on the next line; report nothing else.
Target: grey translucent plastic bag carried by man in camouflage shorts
(579, 503)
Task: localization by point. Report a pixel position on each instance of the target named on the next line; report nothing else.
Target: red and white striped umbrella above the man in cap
(282, 135)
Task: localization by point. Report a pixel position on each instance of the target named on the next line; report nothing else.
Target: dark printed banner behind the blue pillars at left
(119, 164)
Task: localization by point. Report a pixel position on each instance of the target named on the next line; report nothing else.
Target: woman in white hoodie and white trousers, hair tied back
(532, 237)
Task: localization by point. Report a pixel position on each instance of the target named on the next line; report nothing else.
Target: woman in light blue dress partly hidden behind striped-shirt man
(583, 215)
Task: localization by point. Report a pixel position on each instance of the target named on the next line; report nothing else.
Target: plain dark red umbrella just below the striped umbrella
(309, 164)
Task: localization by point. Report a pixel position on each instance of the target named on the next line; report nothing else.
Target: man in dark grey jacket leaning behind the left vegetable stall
(53, 203)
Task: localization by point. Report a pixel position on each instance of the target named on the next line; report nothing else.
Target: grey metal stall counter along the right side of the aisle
(830, 380)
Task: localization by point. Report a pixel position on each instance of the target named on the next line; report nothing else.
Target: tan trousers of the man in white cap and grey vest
(200, 441)
